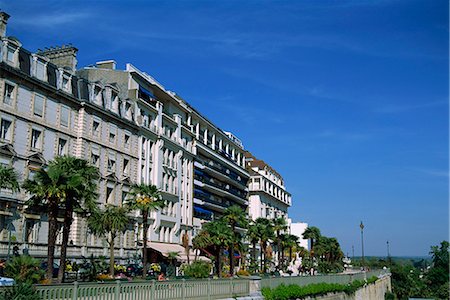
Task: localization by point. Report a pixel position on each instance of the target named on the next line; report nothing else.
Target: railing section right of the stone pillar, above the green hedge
(273, 282)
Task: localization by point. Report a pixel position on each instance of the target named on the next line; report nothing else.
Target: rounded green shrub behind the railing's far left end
(24, 269)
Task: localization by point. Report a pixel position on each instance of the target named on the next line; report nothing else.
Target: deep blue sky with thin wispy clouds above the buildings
(348, 100)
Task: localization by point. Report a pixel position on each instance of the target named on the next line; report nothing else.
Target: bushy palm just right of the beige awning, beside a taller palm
(220, 235)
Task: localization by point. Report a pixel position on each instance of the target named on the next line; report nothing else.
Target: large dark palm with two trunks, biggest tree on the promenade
(67, 184)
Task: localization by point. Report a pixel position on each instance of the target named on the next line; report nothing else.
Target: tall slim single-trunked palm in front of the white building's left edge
(145, 198)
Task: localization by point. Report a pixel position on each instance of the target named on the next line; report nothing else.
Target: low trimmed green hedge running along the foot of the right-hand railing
(293, 291)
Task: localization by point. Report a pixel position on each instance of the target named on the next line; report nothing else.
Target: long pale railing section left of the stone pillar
(151, 290)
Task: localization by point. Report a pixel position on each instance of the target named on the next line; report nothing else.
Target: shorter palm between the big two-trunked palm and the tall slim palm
(110, 222)
